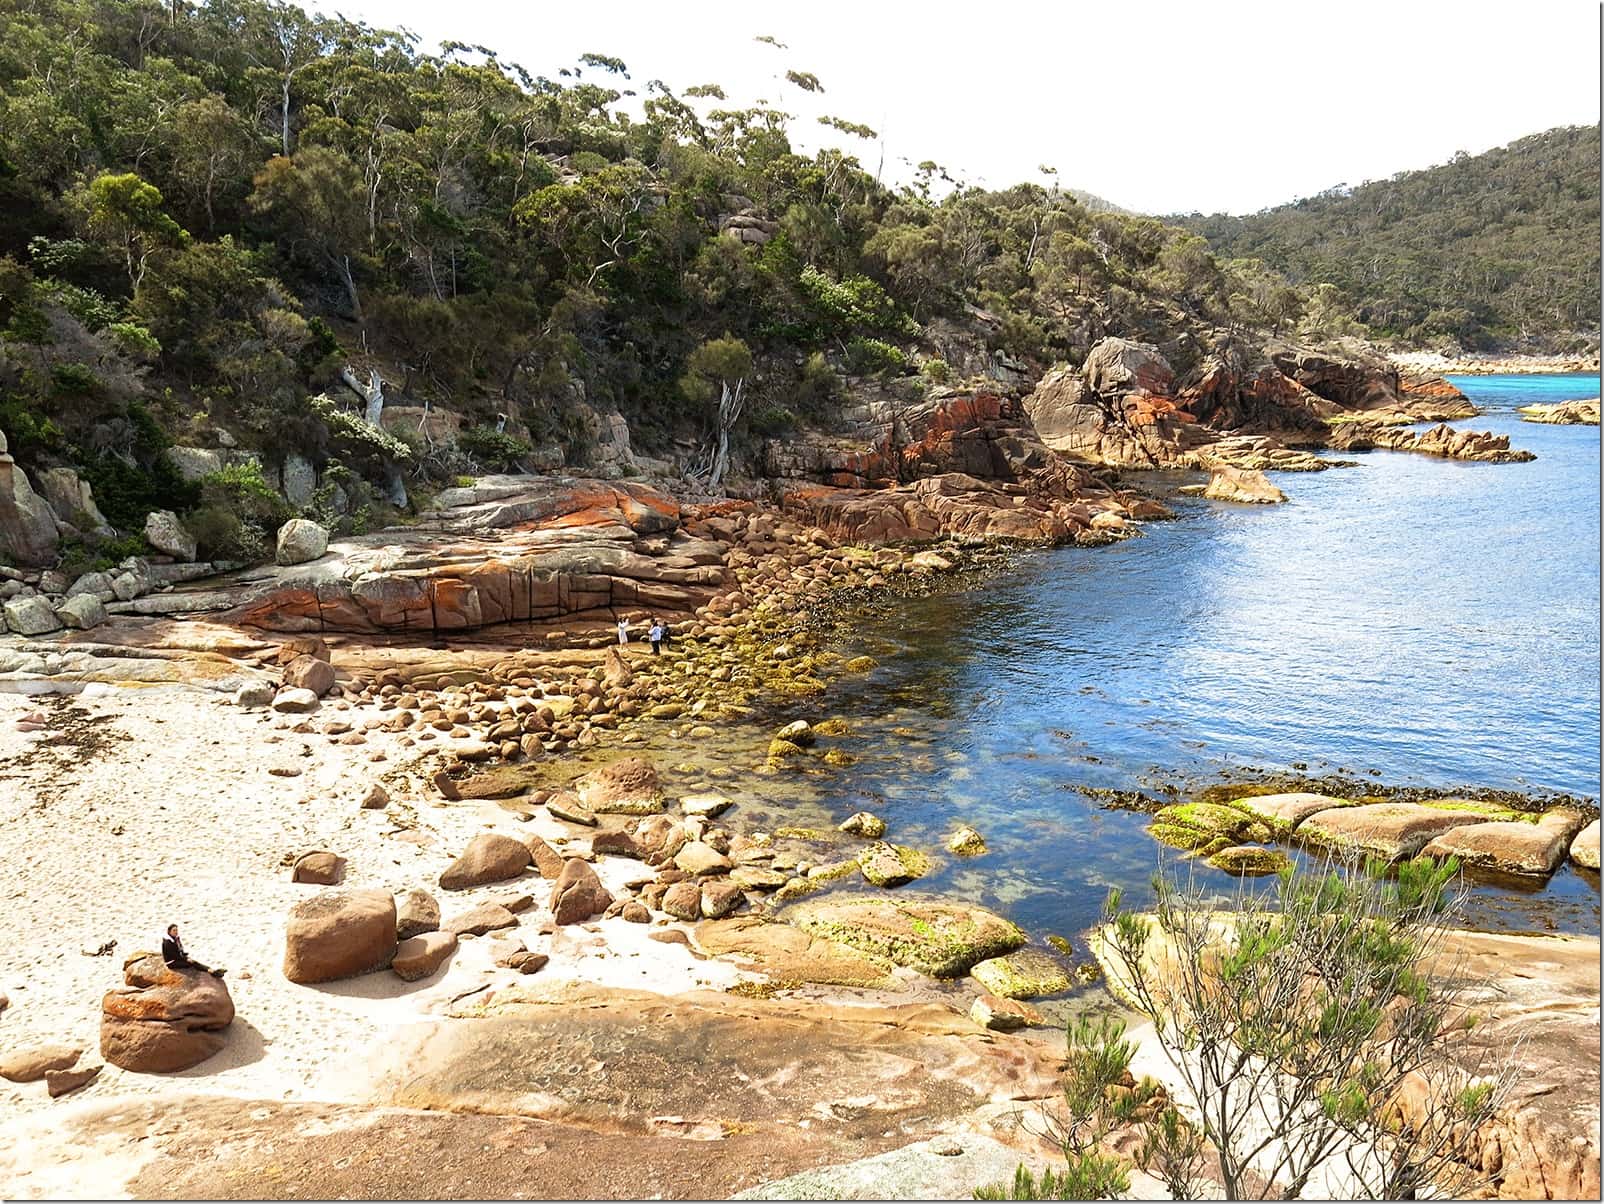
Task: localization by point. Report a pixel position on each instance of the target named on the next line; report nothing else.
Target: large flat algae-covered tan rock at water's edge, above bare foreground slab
(930, 935)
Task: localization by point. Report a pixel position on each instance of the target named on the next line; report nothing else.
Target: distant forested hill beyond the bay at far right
(1497, 251)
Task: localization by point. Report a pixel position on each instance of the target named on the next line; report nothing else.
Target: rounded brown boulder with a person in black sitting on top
(164, 1020)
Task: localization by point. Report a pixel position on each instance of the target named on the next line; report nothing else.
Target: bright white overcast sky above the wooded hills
(1157, 107)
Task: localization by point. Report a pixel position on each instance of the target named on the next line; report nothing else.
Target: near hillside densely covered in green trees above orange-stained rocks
(222, 224)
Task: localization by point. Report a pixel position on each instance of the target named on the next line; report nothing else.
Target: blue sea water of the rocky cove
(1412, 621)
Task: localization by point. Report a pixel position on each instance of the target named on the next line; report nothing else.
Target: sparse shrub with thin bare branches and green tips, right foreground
(1310, 1033)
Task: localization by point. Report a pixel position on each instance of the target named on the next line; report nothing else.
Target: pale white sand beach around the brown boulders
(185, 825)
